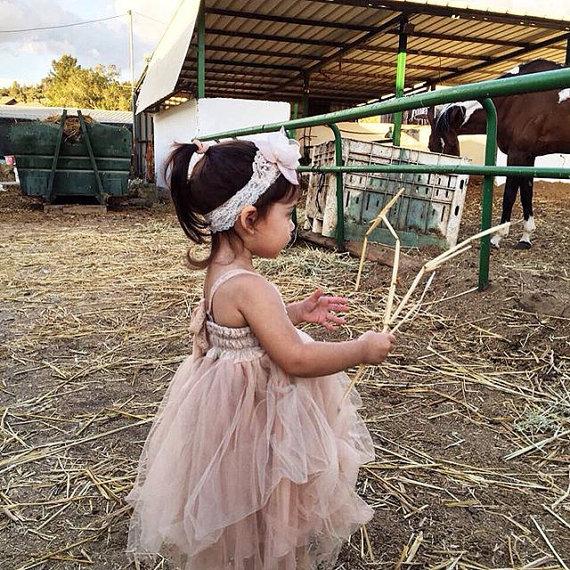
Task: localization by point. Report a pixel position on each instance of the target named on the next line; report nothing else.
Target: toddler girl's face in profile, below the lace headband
(275, 229)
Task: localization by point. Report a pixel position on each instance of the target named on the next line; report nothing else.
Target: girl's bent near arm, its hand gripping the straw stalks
(263, 310)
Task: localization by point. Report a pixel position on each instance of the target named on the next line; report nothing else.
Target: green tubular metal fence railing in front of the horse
(482, 92)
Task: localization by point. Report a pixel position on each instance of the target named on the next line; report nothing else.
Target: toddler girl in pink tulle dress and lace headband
(252, 461)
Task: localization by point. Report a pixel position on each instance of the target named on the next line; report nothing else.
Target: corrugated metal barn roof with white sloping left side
(264, 49)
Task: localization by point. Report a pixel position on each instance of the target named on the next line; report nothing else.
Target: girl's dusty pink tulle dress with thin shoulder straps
(247, 467)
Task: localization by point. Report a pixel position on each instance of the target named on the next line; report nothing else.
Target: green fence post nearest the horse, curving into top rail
(487, 197)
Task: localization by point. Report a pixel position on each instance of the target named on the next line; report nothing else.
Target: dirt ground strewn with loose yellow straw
(470, 416)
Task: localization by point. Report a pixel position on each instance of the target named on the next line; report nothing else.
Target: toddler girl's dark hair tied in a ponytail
(224, 169)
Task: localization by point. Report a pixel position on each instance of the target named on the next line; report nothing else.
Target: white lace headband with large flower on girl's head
(276, 155)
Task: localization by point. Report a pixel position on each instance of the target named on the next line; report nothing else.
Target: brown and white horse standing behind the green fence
(529, 125)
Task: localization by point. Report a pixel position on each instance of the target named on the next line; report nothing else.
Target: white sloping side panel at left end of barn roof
(168, 57)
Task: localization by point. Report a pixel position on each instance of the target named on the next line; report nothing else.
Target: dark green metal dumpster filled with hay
(96, 162)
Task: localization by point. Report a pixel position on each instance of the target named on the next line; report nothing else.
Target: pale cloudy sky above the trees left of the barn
(26, 56)
